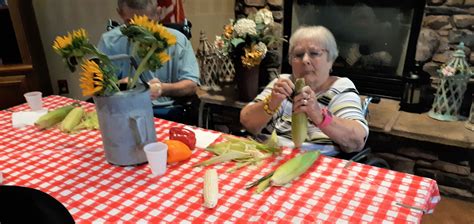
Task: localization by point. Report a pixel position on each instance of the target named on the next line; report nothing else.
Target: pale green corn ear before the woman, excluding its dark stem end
(294, 168)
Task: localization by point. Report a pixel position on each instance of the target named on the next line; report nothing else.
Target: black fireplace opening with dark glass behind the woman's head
(376, 39)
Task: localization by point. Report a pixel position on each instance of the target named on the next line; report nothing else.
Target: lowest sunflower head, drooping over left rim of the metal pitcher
(92, 78)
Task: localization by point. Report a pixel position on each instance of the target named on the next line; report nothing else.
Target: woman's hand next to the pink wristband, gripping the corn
(305, 102)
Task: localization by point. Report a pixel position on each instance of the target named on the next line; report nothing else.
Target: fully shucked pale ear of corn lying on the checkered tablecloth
(211, 188)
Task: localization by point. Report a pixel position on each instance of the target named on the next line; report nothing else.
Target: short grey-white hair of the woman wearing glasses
(320, 35)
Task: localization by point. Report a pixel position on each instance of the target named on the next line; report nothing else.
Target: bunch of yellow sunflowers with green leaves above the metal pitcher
(98, 77)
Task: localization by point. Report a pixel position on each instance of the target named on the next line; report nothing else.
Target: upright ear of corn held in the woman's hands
(299, 121)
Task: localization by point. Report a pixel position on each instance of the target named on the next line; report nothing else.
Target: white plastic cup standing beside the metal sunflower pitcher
(156, 154)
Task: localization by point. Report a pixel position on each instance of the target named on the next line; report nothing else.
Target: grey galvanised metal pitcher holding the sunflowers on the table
(126, 125)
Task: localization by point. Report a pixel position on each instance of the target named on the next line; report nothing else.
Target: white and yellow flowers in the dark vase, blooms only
(248, 39)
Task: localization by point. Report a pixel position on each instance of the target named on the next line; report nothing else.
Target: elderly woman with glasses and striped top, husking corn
(331, 103)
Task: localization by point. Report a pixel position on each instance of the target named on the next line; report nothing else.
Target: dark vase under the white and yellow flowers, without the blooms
(247, 81)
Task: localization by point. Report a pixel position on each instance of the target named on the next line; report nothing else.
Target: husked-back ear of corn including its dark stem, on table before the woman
(286, 172)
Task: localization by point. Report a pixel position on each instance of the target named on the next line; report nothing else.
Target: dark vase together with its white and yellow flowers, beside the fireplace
(246, 41)
